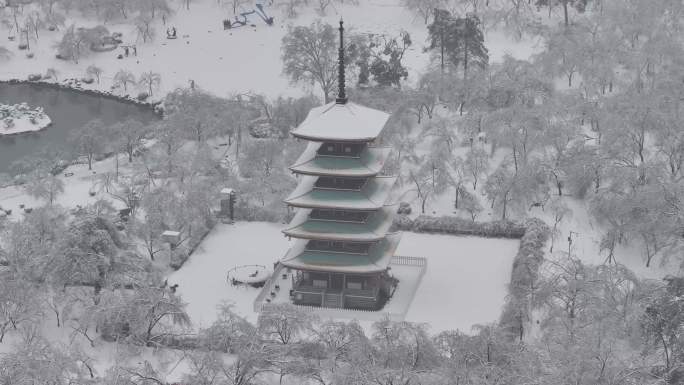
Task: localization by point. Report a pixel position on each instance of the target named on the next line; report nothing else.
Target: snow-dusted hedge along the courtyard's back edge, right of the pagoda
(460, 226)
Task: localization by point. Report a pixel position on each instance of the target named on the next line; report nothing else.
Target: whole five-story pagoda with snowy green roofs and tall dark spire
(342, 250)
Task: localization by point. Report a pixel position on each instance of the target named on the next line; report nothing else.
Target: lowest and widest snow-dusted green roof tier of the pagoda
(378, 258)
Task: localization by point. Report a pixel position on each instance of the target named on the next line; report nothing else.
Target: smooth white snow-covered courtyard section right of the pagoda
(466, 279)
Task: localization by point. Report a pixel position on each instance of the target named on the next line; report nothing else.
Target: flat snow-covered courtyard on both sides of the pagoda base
(465, 282)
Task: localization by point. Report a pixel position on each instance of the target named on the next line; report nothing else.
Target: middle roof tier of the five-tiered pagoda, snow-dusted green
(372, 196)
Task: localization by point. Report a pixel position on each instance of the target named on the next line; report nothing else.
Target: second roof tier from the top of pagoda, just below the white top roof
(369, 163)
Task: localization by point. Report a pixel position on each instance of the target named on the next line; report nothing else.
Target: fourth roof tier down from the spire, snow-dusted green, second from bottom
(374, 229)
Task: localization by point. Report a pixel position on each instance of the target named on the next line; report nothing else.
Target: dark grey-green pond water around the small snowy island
(68, 110)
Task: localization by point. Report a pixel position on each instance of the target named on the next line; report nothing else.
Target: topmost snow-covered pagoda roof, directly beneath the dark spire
(342, 122)
